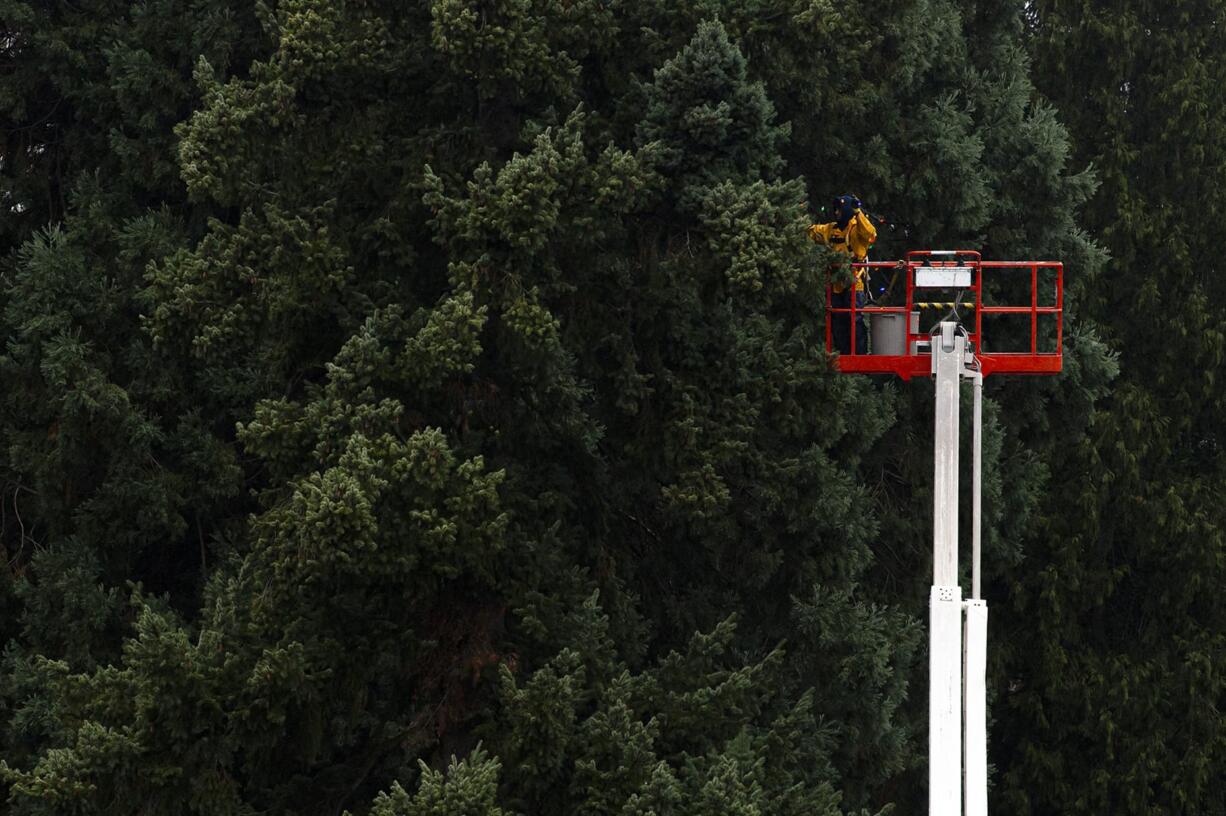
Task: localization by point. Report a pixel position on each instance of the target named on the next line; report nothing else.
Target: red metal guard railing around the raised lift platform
(999, 353)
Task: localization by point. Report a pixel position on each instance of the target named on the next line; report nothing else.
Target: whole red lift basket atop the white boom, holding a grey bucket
(1012, 311)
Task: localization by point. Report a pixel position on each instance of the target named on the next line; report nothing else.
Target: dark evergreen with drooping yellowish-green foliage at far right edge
(1117, 709)
